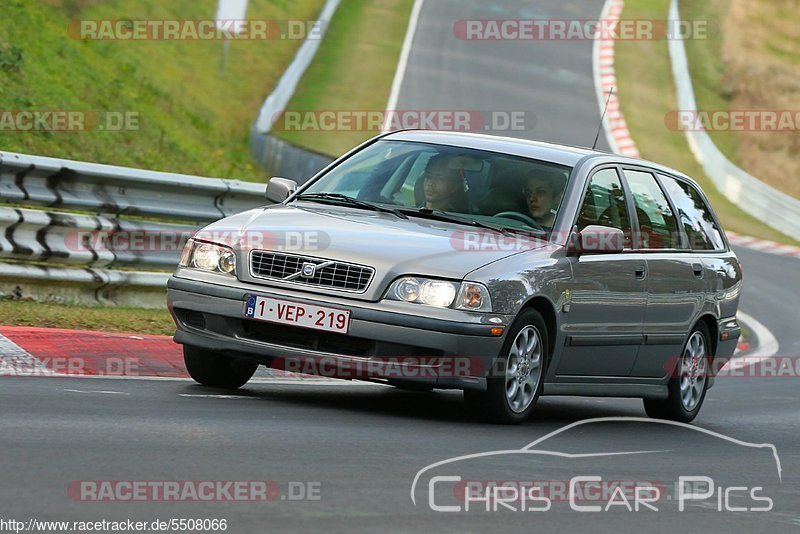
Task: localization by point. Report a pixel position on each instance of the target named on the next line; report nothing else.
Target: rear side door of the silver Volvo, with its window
(675, 285)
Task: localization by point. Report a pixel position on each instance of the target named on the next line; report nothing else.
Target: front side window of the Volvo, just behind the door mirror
(604, 204)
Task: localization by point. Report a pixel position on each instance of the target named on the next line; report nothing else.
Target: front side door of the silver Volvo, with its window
(607, 298)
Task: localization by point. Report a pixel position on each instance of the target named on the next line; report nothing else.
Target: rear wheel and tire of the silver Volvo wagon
(689, 383)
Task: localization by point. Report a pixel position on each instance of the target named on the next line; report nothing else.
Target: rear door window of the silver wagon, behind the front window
(658, 228)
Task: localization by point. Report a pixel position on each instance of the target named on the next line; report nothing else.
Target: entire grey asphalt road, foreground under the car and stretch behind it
(361, 446)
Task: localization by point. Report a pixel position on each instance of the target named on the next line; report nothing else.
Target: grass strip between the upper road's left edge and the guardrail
(353, 70)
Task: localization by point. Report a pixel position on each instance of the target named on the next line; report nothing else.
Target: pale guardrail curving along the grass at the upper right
(777, 209)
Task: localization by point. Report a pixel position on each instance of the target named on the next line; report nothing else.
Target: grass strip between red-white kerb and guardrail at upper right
(647, 94)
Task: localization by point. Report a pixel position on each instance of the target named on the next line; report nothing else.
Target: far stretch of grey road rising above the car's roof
(551, 81)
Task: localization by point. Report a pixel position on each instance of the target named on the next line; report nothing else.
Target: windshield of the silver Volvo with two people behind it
(429, 180)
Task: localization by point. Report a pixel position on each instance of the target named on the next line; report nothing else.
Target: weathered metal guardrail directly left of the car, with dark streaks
(55, 245)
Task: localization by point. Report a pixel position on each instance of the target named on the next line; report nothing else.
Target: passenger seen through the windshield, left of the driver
(444, 184)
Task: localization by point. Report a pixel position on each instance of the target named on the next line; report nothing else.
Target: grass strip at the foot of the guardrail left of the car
(104, 319)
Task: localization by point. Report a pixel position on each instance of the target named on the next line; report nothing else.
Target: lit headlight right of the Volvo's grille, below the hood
(442, 293)
